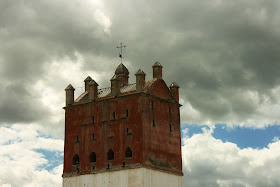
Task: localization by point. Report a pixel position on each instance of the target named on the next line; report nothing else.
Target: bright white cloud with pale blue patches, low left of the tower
(21, 164)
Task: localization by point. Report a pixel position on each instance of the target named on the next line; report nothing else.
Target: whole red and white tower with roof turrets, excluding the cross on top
(124, 135)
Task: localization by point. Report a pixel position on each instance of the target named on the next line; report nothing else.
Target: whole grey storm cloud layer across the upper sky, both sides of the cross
(217, 51)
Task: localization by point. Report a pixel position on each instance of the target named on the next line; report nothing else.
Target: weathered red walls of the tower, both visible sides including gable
(153, 145)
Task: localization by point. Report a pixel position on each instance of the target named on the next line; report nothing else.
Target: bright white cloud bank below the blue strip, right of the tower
(210, 162)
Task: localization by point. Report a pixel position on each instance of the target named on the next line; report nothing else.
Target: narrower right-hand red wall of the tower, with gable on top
(162, 146)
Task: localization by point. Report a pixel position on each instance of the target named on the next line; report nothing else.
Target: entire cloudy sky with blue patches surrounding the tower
(224, 55)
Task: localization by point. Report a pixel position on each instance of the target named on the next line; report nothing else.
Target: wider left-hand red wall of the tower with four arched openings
(109, 133)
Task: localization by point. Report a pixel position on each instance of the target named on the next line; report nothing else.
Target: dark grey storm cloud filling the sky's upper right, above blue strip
(218, 51)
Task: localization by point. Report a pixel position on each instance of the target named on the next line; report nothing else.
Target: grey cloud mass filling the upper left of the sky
(32, 34)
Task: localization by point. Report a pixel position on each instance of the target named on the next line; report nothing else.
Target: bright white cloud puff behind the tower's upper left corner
(61, 72)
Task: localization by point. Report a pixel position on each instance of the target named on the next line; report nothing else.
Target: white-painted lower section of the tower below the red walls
(139, 177)
